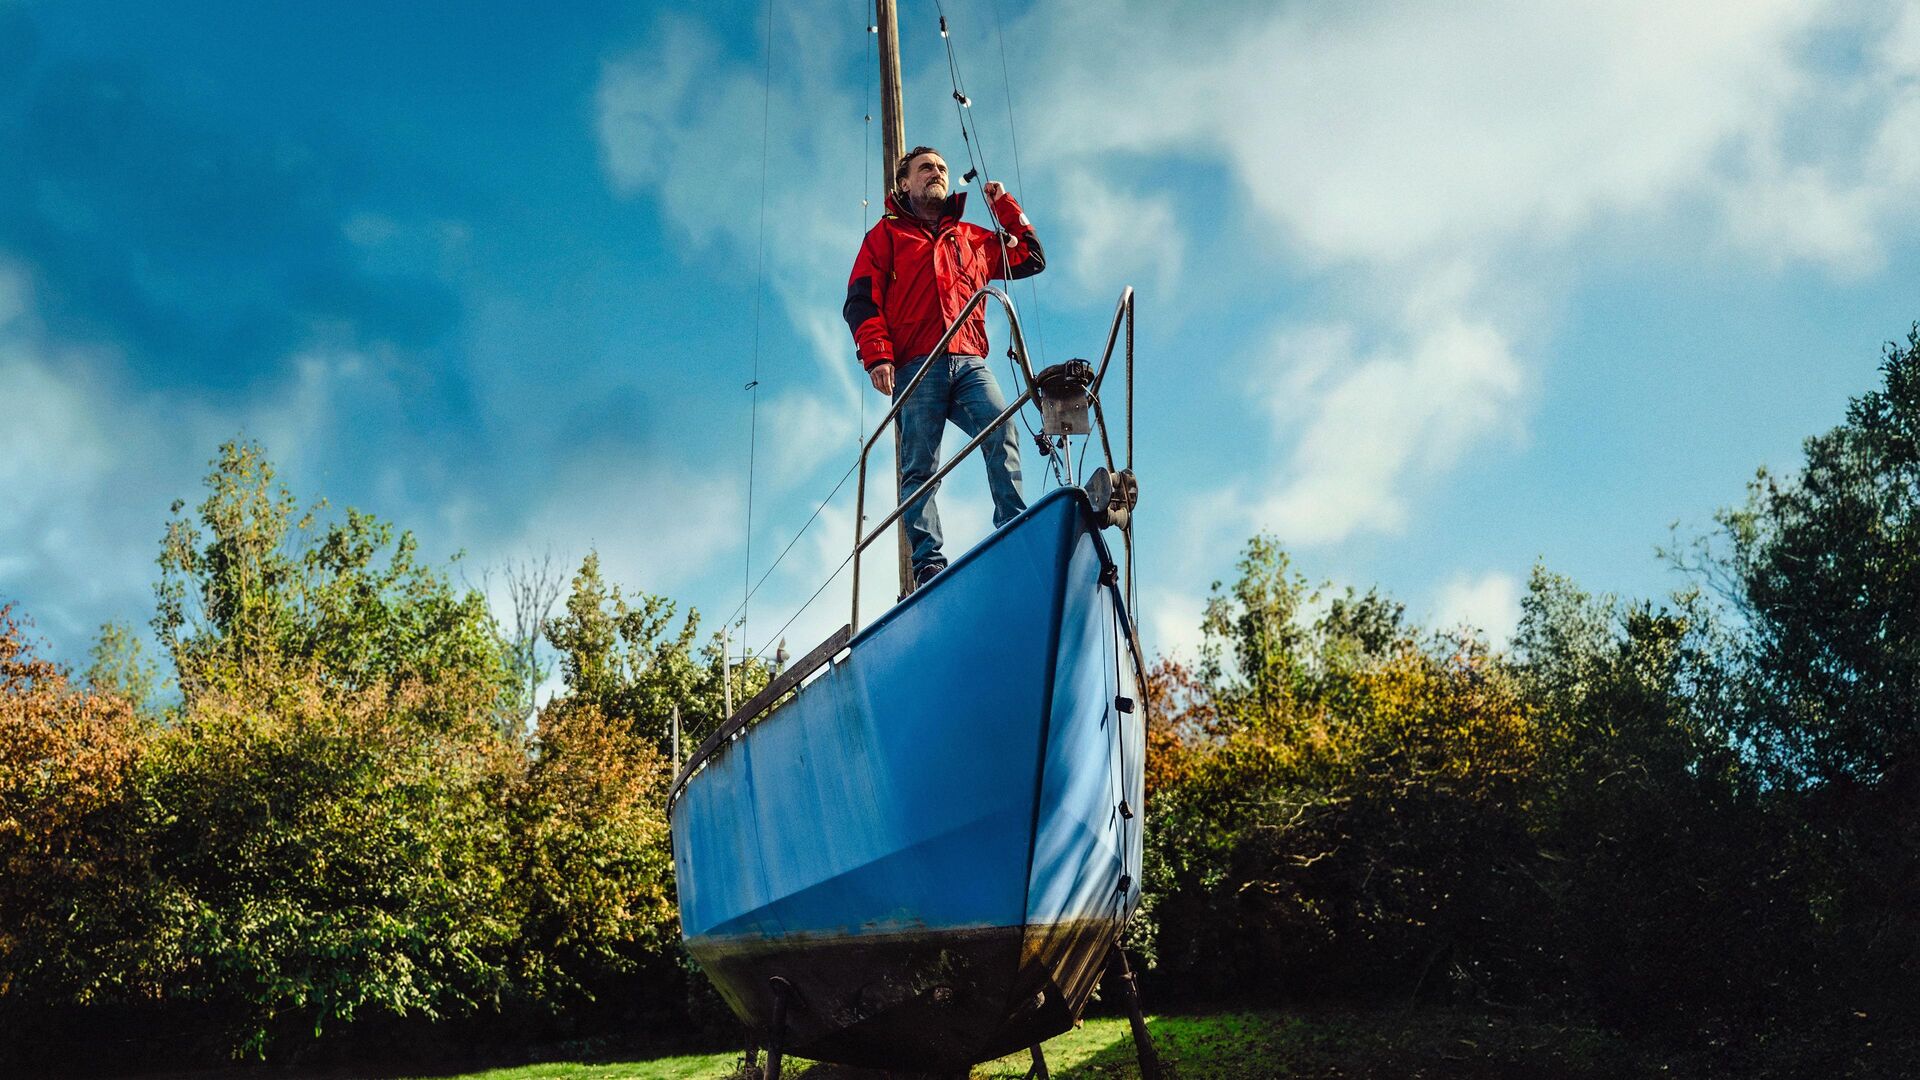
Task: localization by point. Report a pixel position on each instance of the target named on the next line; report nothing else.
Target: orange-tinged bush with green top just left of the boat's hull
(594, 837)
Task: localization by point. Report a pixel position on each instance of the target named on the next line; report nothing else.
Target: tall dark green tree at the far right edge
(1825, 568)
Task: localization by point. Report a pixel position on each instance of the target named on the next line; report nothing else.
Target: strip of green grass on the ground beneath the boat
(1239, 1046)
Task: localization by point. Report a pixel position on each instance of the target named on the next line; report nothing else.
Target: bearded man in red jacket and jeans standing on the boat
(915, 272)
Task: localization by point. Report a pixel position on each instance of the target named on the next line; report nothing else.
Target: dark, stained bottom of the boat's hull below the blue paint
(917, 998)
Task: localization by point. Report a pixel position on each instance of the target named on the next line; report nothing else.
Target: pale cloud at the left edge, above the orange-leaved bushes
(91, 462)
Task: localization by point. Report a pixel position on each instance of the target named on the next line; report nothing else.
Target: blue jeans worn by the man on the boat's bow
(959, 389)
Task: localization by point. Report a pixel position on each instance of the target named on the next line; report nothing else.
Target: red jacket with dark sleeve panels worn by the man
(911, 280)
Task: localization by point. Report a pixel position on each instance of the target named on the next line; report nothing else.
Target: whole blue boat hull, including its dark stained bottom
(928, 841)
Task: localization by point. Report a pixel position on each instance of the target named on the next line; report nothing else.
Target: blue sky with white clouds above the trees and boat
(1431, 293)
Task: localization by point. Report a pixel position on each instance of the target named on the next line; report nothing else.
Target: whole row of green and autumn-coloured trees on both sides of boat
(1685, 820)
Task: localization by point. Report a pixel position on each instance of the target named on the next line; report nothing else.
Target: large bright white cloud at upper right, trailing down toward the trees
(1397, 151)
